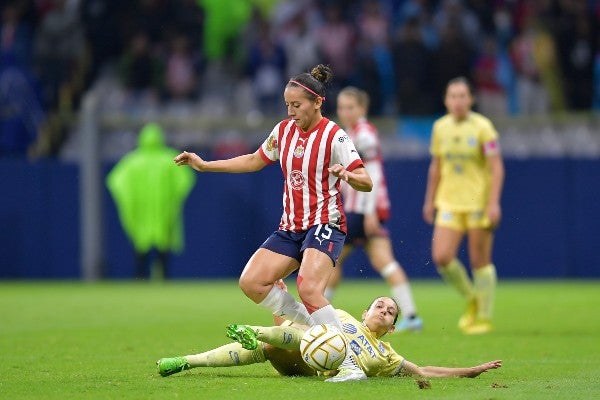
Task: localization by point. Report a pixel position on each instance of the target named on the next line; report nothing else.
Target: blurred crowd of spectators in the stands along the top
(523, 56)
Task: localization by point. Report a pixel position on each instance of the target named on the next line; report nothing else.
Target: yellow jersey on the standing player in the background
(464, 173)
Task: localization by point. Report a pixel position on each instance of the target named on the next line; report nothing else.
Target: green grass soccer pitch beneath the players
(86, 341)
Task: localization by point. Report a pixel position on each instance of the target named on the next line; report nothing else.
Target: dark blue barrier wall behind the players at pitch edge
(548, 230)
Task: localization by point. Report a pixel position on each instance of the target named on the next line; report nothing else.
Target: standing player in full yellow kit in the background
(464, 185)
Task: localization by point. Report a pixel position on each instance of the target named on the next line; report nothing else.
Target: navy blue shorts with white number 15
(322, 237)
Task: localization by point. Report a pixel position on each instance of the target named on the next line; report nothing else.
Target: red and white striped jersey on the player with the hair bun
(311, 194)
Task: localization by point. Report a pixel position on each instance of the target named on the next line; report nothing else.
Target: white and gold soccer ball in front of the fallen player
(323, 347)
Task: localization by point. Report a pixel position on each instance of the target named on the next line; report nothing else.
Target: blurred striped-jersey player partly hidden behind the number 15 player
(366, 211)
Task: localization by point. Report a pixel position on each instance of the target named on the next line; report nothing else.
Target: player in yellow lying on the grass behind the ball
(280, 345)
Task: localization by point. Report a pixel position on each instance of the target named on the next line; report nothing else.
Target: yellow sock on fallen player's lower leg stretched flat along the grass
(229, 355)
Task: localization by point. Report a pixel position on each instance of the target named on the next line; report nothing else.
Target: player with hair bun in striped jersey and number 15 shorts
(315, 154)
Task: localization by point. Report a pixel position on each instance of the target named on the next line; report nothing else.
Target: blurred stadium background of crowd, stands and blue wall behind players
(72, 101)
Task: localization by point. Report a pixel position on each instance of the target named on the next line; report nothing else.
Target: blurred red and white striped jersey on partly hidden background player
(366, 139)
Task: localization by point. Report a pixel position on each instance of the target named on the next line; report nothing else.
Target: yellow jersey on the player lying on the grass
(376, 358)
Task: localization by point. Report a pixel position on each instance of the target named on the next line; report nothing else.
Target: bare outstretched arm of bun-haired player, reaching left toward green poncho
(245, 163)
